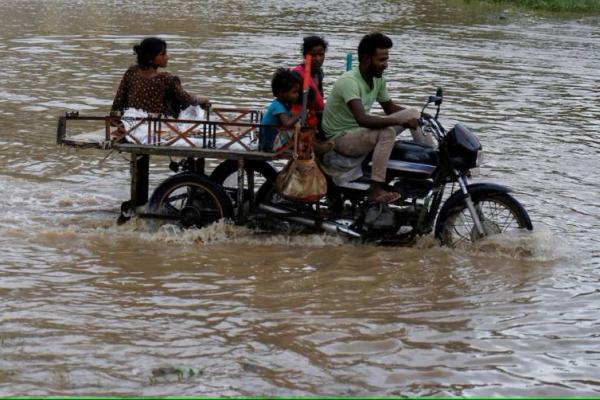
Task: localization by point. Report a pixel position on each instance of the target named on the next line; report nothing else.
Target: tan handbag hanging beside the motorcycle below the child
(301, 179)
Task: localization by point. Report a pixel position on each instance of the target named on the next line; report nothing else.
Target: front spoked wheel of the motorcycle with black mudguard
(499, 213)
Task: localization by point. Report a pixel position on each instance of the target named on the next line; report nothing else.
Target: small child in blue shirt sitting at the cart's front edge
(286, 87)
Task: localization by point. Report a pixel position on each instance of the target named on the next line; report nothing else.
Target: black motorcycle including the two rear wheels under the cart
(420, 173)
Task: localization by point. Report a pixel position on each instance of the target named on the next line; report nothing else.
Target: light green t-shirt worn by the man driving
(337, 117)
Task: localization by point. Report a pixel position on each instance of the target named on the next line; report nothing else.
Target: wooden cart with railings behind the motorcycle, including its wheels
(227, 134)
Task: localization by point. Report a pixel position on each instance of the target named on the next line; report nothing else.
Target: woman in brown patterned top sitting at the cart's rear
(145, 88)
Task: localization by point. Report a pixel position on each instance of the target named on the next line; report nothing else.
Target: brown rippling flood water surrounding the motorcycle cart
(91, 308)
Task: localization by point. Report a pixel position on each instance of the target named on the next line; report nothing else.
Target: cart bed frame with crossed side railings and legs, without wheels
(233, 124)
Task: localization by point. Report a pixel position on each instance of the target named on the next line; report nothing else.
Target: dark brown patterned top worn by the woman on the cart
(161, 93)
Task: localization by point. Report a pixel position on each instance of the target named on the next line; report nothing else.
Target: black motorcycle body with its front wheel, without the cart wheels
(421, 174)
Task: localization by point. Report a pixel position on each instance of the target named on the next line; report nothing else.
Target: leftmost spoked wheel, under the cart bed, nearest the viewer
(191, 199)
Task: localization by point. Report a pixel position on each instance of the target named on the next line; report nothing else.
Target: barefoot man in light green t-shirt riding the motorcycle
(354, 131)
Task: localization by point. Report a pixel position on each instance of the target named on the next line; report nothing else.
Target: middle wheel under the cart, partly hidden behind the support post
(226, 175)
